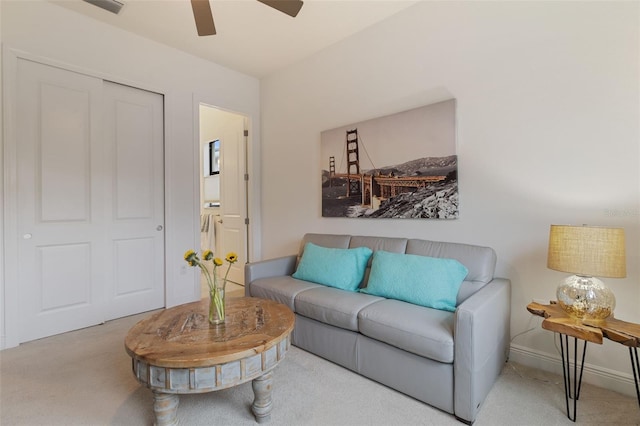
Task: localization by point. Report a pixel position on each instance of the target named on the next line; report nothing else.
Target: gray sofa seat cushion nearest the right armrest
(423, 331)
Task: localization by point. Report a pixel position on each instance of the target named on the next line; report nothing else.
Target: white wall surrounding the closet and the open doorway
(48, 32)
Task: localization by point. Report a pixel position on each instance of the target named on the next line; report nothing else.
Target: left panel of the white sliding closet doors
(60, 207)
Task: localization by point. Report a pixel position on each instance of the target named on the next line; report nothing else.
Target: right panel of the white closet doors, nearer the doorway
(134, 141)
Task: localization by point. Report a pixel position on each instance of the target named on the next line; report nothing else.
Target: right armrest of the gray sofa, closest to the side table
(482, 333)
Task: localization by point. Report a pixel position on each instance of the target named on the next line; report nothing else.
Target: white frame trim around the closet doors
(10, 328)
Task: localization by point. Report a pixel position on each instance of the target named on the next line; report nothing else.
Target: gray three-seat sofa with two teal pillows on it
(449, 360)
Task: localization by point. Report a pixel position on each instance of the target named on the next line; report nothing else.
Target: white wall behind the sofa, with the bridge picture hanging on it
(547, 110)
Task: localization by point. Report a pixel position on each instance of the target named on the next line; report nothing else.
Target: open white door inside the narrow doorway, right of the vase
(233, 193)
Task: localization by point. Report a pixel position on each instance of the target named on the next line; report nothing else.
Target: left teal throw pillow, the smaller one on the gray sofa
(340, 268)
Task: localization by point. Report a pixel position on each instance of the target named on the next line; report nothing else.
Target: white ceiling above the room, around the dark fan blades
(251, 37)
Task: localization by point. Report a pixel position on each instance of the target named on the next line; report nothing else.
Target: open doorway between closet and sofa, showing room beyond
(223, 189)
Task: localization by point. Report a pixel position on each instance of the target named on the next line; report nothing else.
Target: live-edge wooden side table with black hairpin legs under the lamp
(557, 320)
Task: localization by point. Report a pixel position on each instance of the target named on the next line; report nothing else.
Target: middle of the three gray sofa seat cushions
(333, 306)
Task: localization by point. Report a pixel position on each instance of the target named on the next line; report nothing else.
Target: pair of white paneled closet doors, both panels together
(89, 206)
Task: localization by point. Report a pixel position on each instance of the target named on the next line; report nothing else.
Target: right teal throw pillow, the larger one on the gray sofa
(426, 281)
